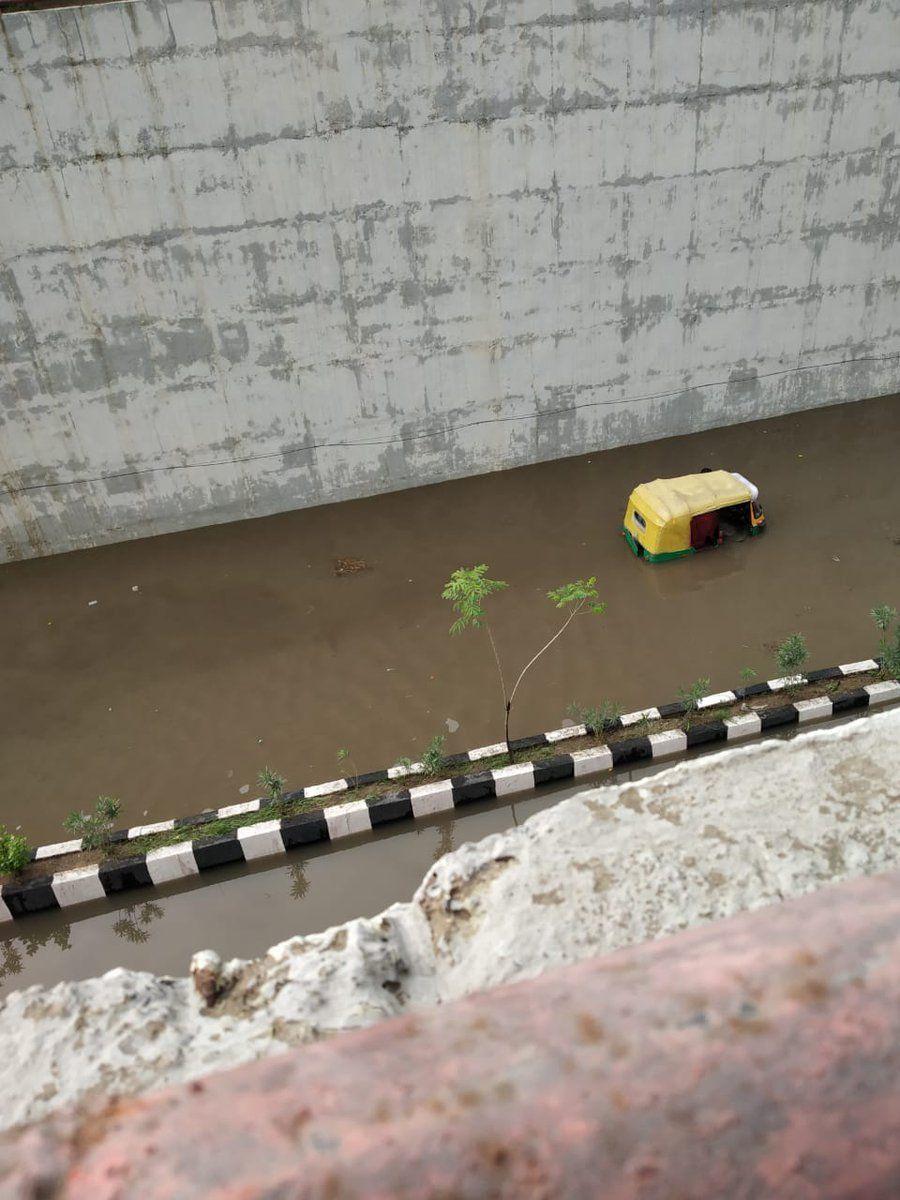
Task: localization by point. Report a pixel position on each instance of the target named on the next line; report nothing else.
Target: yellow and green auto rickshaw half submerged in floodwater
(673, 518)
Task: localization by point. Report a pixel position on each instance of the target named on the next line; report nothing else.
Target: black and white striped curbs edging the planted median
(265, 839)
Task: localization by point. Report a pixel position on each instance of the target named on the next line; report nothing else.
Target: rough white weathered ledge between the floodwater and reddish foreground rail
(607, 869)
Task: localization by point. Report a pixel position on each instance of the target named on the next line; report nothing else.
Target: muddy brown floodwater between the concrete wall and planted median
(242, 647)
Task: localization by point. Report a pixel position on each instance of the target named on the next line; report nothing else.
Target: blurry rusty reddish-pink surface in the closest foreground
(758, 1057)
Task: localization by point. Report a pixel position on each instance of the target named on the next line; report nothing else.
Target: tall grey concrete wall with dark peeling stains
(267, 254)
